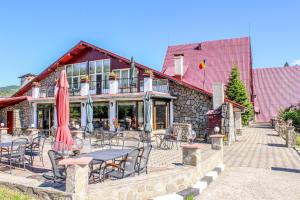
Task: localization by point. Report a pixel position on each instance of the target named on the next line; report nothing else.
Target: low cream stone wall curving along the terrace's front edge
(156, 183)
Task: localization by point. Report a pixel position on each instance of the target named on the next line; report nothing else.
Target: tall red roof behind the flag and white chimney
(220, 56)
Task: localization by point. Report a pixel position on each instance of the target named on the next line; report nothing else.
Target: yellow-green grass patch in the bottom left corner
(10, 194)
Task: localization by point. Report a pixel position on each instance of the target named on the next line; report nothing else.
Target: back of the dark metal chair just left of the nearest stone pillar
(57, 170)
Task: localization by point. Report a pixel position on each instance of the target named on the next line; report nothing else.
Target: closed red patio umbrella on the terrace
(62, 107)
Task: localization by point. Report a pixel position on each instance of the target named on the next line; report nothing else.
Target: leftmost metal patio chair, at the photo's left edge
(16, 153)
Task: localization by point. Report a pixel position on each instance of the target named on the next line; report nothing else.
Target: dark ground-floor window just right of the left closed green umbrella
(100, 115)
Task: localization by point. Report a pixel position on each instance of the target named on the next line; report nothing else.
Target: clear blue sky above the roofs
(33, 34)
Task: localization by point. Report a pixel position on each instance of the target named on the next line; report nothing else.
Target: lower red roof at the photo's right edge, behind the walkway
(275, 88)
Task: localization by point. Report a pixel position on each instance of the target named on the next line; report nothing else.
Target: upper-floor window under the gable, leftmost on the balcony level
(75, 72)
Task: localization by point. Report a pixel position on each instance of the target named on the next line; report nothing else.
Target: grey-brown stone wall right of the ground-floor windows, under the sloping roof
(191, 107)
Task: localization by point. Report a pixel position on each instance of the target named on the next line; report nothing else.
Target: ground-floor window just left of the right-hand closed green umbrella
(131, 115)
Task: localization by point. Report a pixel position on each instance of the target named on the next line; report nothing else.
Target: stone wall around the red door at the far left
(22, 115)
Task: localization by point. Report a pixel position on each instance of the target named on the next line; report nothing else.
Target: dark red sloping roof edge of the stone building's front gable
(81, 46)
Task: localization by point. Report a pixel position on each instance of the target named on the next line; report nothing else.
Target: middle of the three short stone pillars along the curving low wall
(191, 155)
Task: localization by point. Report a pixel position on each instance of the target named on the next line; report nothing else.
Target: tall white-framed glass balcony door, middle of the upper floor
(99, 72)
